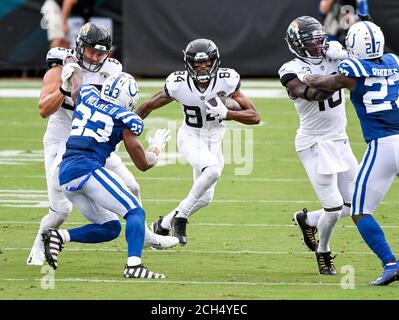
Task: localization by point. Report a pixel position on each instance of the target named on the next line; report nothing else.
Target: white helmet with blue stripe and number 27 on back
(365, 40)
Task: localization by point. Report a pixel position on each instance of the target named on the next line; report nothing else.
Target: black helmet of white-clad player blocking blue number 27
(306, 38)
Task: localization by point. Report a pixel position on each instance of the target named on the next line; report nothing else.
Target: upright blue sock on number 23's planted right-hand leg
(135, 231)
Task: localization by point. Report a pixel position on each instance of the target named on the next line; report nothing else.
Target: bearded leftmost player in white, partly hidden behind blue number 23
(93, 45)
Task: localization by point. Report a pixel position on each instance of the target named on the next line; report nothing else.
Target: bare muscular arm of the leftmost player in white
(50, 95)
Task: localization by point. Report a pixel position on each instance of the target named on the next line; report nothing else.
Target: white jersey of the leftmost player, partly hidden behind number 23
(58, 126)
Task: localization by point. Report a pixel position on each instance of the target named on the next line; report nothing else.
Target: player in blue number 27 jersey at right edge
(373, 80)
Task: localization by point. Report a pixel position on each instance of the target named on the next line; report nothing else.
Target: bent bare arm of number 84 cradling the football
(248, 114)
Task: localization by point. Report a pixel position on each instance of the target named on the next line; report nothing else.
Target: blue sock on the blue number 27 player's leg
(374, 237)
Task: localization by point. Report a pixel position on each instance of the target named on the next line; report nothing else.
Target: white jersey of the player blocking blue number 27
(318, 120)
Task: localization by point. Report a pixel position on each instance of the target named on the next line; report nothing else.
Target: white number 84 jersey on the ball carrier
(180, 86)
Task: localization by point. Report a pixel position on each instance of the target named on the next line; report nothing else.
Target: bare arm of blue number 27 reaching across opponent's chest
(332, 82)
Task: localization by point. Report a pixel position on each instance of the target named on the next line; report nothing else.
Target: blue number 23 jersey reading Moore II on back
(96, 129)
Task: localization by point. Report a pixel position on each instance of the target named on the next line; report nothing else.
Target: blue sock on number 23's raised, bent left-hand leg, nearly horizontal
(96, 233)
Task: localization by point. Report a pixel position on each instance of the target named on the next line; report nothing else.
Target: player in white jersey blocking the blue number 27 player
(321, 141)
